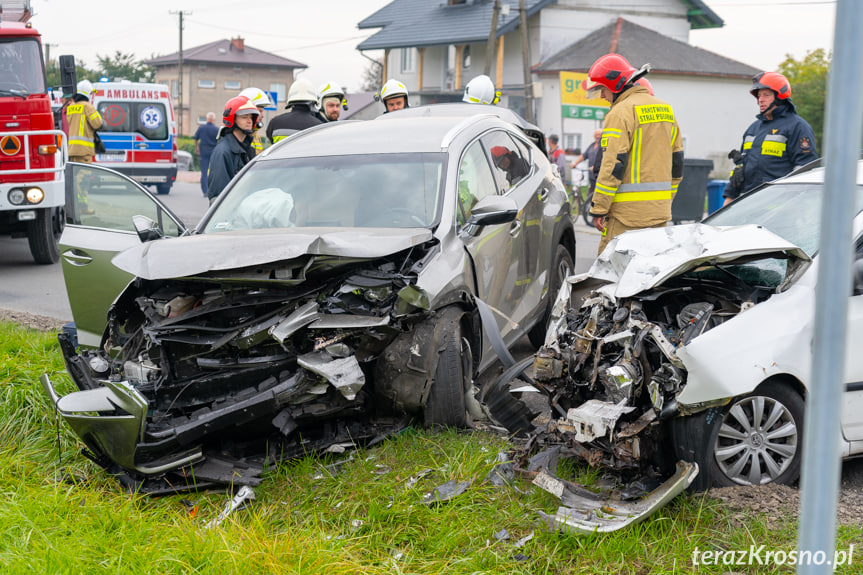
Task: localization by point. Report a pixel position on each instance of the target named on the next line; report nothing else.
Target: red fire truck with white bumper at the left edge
(32, 152)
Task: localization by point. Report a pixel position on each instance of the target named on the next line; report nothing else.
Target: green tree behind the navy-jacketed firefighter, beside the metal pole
(808, 79)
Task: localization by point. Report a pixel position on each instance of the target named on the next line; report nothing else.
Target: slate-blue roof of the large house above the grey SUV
(415, 23)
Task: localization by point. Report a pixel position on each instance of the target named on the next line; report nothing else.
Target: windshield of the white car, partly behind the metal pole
(792, 211)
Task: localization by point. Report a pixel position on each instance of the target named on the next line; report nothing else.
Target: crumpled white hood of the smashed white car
(643, 259)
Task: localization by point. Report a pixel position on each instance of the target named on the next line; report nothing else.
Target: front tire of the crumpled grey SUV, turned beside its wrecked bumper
(445, 405)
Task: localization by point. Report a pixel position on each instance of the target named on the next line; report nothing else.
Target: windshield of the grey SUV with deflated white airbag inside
(370, 191)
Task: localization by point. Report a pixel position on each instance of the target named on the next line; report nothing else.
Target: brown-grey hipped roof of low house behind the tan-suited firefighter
(641, 45)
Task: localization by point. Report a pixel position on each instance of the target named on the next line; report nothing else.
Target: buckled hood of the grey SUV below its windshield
(192, 255)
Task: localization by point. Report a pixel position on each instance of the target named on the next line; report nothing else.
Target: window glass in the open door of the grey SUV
(103, 199)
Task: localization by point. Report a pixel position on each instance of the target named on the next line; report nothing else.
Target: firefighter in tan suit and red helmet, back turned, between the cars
(642, 152)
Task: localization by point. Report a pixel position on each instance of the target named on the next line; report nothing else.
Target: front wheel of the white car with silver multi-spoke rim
(754, 440)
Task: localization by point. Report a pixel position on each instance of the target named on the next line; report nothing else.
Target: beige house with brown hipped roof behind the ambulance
(216, 72)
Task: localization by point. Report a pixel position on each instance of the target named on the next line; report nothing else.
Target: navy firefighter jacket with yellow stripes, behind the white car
(772, 148)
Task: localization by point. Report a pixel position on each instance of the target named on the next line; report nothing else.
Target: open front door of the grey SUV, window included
(100, 204)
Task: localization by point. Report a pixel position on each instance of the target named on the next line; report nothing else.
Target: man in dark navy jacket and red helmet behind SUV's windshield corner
(234, 149)
